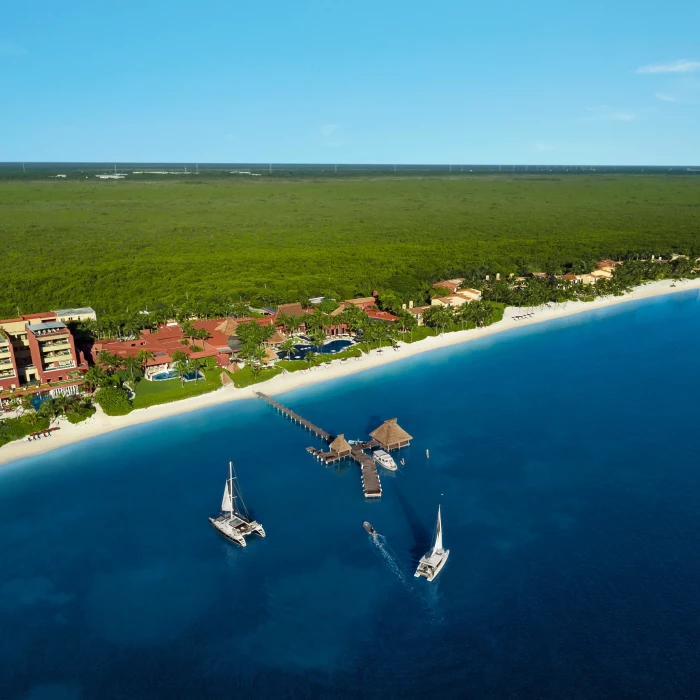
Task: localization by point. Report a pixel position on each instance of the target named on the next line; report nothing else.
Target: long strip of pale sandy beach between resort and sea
(100, 424)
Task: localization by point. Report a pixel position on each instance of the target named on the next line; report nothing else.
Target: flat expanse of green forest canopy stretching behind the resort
(123, 244)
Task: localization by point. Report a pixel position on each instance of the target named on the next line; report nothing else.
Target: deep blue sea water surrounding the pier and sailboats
(567, 460)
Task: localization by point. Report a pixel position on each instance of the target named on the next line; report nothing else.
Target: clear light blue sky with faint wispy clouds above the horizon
(356, 81)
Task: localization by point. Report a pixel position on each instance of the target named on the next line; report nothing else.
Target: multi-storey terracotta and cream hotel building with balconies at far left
(37, 352)
